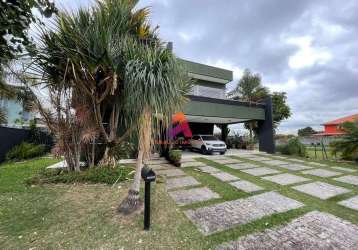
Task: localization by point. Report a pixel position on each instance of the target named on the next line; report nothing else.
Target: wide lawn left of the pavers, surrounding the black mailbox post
(80, 216)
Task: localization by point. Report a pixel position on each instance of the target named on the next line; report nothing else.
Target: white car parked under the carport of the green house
(207, 144)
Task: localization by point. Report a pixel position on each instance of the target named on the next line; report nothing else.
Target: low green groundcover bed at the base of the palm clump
(107, 175)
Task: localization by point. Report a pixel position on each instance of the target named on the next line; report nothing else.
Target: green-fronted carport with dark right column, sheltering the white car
(205, 112)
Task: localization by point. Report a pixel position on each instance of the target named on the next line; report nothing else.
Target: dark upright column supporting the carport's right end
(266, 131)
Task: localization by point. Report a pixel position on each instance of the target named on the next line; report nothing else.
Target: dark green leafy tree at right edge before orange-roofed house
(348, 145)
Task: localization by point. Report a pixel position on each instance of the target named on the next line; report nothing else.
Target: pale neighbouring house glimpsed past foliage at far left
(16, 115)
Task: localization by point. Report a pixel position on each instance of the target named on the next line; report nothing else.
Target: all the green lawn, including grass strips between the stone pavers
(82, 216)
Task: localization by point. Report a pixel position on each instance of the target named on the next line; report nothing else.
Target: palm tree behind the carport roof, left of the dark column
(249, 89)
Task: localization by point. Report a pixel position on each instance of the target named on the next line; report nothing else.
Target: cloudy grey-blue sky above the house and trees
(306, 48)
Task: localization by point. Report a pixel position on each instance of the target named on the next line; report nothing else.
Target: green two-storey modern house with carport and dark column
(208, 105)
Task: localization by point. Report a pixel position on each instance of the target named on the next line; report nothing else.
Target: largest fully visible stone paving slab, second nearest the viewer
(223, 216)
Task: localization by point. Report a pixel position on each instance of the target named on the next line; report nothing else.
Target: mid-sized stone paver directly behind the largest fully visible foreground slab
(189, 196)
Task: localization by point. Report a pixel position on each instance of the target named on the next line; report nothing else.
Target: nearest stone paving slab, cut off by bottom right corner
(312, 231)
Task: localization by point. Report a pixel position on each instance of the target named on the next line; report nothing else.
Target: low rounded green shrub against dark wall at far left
(25, 150)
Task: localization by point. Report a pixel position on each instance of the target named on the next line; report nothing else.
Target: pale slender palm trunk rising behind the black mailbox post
(132, 202)
